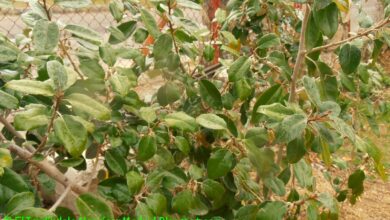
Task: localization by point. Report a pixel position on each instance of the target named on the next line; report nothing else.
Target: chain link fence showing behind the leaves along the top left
(96, 17)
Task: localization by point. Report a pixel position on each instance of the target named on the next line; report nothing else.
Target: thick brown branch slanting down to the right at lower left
(46, 167)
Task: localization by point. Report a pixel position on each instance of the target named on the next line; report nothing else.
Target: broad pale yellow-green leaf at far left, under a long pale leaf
(33, 117)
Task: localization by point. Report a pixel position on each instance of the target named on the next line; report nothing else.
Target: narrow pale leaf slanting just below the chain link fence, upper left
(84, 33)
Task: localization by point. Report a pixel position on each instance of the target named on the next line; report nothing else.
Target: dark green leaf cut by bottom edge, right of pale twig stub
(90, 206)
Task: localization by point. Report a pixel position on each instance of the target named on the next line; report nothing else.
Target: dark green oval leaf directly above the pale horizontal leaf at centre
(210, 94)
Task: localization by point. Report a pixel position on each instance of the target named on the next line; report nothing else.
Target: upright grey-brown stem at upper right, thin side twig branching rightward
(300, 56)
